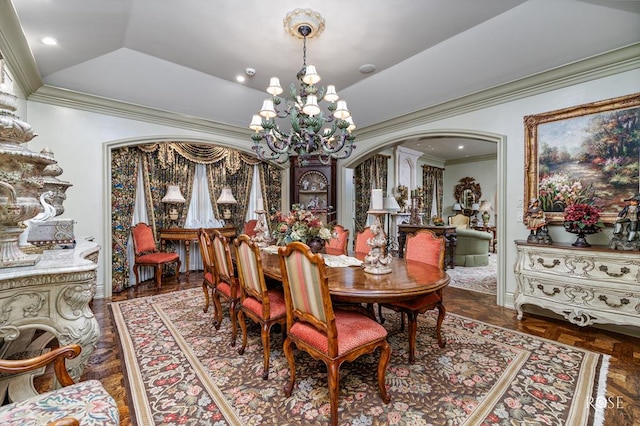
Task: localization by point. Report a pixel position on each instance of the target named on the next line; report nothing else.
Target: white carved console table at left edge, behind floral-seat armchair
(51, 298)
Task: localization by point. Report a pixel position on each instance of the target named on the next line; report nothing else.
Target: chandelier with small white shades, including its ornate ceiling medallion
(312, 133)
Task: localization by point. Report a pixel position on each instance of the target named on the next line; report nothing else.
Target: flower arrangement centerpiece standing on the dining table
(299, 225)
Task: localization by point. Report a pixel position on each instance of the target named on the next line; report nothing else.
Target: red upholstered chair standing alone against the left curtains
(146, 253)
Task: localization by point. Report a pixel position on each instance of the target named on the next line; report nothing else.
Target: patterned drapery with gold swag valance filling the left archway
(173, 163)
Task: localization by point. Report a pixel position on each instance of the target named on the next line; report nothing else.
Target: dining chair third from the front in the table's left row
(226, 283)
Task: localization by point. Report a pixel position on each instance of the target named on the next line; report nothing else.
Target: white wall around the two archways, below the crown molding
(76, 138)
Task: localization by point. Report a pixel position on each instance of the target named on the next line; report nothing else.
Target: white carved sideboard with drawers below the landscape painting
(584, 285)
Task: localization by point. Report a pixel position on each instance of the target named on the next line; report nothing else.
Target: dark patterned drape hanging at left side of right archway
(370, 174)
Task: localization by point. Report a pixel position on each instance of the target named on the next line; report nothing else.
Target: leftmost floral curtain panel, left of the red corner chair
(124, 171)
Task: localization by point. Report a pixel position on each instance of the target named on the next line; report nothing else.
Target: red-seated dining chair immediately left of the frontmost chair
(265, 306)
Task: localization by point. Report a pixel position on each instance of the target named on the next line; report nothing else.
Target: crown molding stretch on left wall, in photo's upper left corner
(14, 47)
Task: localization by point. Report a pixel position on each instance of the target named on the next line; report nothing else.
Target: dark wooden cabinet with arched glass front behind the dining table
(314, 187)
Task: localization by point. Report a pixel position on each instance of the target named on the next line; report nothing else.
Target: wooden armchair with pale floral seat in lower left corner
(85, 403)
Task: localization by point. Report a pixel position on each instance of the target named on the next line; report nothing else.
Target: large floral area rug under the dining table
(181, 371)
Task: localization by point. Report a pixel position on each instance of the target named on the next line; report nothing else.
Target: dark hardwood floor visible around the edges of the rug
(623, 385)
